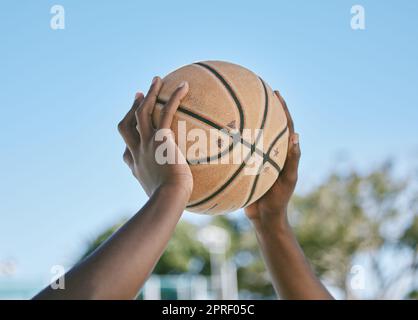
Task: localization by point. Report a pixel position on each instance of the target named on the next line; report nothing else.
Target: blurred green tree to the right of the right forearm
(360, 220)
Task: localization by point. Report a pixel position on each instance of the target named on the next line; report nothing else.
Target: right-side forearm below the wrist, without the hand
(291, 274)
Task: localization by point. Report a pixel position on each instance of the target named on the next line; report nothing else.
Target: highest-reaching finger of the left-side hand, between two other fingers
(144, 113)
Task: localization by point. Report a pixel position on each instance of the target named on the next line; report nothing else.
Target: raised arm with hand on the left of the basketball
(119, 267)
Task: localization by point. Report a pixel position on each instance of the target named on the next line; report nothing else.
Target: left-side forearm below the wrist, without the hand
(119, 268)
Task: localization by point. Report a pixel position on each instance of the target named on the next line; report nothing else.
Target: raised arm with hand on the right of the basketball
(290, 272)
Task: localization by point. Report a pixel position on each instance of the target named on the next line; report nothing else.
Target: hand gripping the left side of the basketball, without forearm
(141, 144)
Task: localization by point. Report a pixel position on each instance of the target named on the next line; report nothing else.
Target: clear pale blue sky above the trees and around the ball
(62, 93)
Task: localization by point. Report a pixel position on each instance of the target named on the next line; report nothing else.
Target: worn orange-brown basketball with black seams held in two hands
(236, 110)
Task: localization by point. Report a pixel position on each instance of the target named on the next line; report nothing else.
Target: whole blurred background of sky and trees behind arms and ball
(352, 93)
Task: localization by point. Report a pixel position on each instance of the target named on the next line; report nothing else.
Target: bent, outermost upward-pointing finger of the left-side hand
(127, 127)
